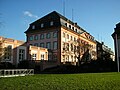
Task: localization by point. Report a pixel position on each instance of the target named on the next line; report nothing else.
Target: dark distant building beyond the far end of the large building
(104, 52)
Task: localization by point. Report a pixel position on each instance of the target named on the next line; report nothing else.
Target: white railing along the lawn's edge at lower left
(15, 72)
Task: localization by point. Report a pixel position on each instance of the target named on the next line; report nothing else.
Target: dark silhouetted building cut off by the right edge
(116, 37)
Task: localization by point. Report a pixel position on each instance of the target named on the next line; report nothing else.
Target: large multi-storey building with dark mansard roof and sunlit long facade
(65, 40)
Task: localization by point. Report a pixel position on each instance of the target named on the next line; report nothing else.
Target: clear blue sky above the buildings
(98, 17)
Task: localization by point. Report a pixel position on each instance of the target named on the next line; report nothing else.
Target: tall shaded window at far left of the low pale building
(8, 53)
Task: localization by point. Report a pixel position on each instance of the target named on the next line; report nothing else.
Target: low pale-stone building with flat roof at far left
(14, 51)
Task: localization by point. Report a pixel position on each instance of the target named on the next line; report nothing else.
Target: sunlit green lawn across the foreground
(89, 81)
